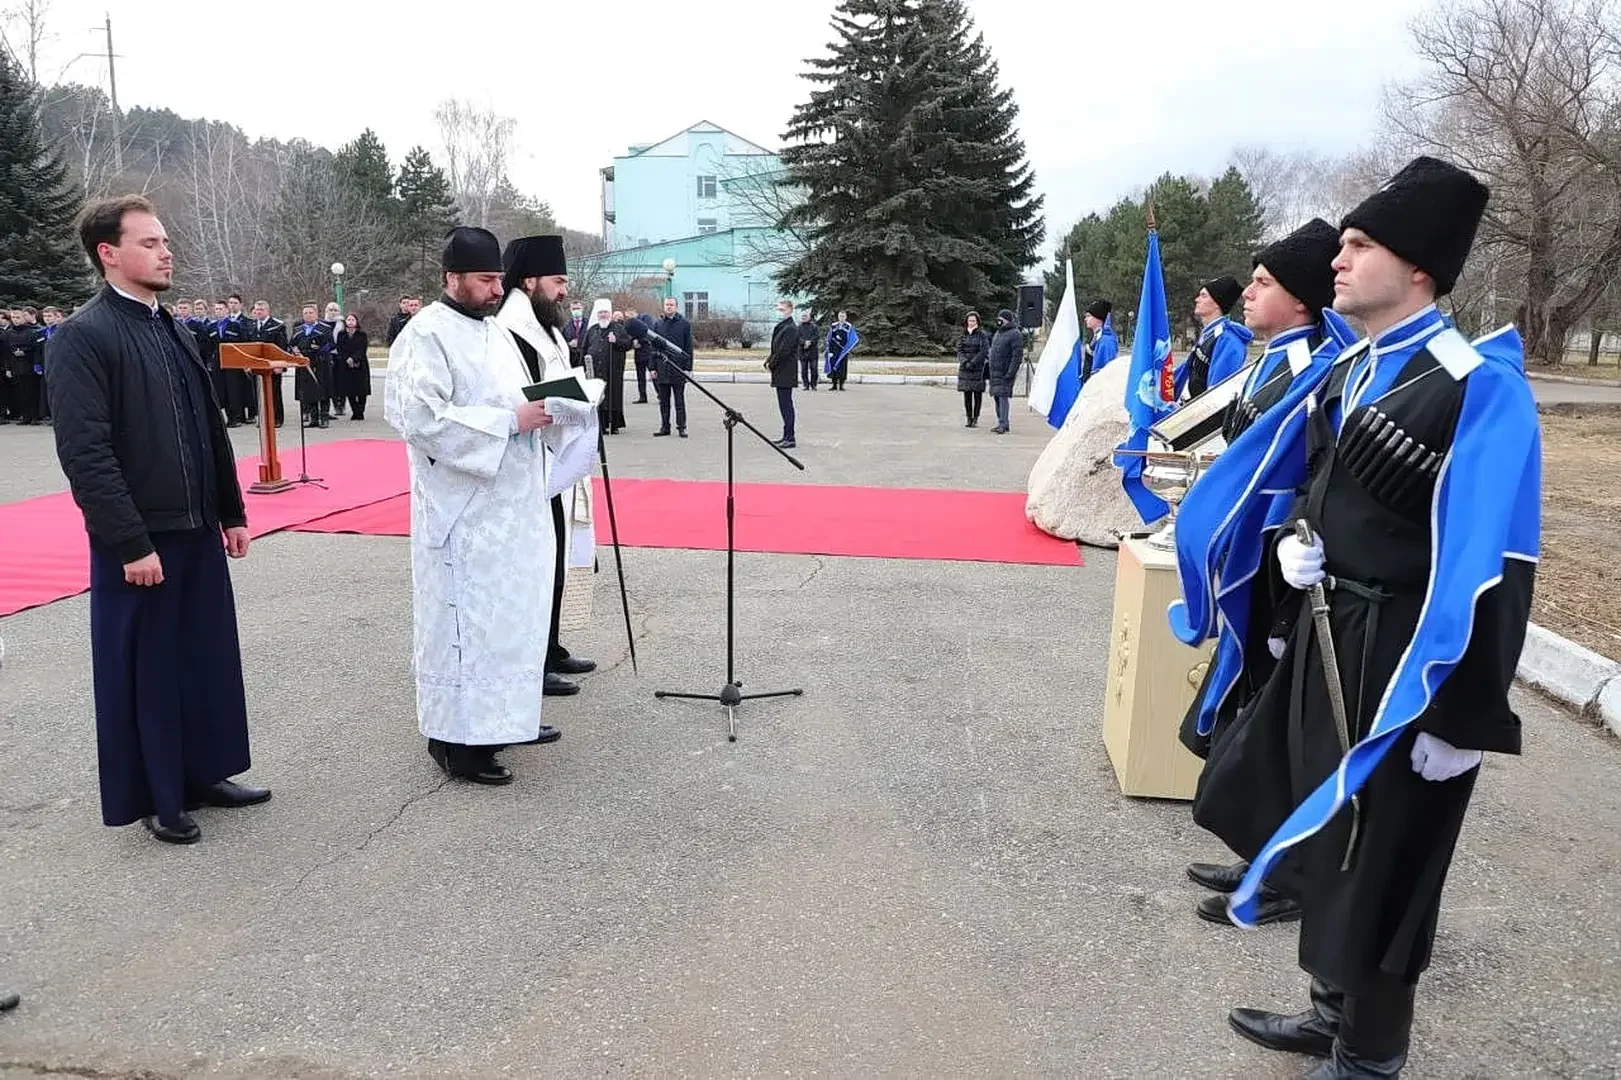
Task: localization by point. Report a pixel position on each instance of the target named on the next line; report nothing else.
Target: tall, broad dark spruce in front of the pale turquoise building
(918, 197)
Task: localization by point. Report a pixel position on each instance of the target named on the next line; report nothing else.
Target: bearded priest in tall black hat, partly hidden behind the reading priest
(537, 289)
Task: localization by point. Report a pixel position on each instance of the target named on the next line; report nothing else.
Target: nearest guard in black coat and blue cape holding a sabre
(1348, 779)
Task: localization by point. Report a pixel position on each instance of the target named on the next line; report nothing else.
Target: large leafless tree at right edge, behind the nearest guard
(1528, 95)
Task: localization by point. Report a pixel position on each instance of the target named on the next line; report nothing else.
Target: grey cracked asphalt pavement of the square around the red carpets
(920, 868)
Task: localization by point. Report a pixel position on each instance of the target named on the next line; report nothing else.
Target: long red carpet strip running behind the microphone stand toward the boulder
(793, 520)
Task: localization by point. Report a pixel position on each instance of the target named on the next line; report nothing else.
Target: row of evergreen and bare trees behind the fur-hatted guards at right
(1525, 93)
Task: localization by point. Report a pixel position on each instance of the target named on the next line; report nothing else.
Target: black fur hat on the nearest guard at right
(1427, 215)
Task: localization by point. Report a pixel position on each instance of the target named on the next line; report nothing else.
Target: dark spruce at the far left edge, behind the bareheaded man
(40, 257)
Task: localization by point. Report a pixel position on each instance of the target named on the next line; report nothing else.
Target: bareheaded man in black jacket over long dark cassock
(142, 440)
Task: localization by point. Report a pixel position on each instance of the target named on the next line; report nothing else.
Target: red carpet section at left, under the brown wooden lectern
(46, 555)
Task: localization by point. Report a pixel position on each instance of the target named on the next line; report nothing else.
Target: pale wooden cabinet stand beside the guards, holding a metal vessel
(1152, 680)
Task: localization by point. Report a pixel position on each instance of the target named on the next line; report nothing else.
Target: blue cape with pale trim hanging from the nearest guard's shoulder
(1487, 510)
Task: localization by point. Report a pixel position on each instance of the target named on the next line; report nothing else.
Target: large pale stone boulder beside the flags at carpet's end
(1076, 489)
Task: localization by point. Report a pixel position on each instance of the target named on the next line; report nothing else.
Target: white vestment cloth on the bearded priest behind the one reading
(573, 435)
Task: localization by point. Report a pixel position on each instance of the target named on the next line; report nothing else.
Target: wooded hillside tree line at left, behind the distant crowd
(263, 218)
